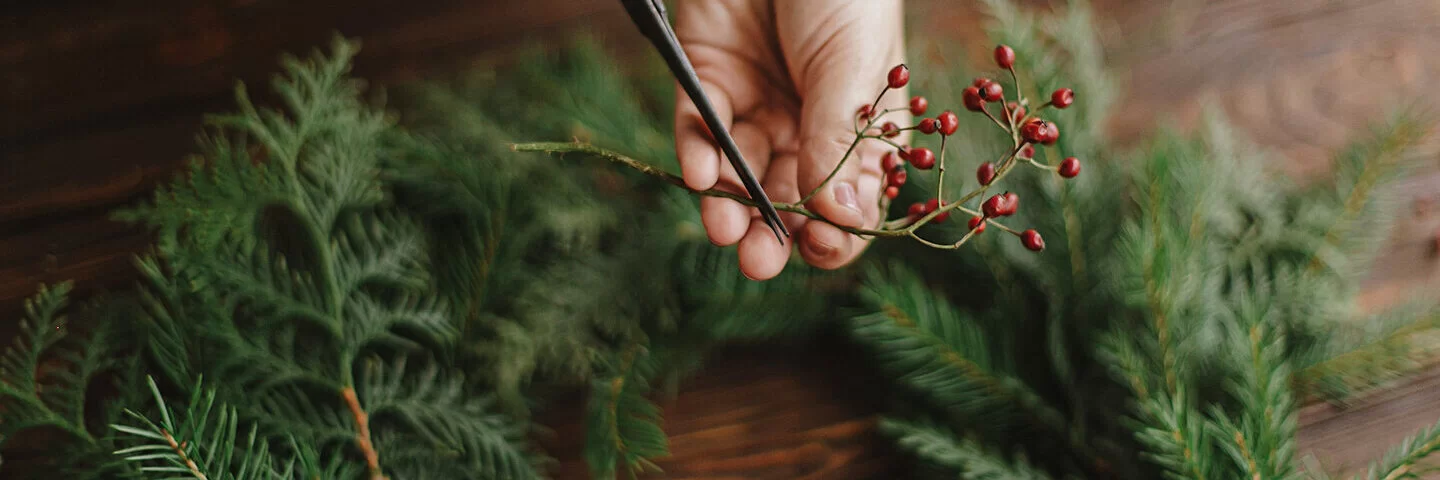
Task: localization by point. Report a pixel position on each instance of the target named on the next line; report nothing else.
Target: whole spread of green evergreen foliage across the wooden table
(371, 301)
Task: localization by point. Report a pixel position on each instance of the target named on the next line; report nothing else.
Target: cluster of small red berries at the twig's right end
(1027, 130)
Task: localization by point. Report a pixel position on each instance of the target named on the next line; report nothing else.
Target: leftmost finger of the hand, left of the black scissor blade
(696, 149)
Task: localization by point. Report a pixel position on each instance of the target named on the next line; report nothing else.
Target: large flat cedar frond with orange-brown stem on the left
(306, 289)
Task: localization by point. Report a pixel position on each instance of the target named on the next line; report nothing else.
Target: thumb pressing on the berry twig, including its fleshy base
(839, 54)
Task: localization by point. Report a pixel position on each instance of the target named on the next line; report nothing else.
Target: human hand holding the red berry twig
(787, 79)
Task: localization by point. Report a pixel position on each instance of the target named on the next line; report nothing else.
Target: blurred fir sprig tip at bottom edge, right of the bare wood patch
(941, 448)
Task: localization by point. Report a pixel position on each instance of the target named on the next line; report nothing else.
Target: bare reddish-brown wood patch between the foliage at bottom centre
(817, 420)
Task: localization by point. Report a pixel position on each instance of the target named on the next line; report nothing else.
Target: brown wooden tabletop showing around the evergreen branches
(100, 100)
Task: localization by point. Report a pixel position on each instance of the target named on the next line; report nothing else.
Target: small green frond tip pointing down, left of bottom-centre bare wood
(623, 429)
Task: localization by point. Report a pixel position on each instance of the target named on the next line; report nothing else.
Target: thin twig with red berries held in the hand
(1026, 130)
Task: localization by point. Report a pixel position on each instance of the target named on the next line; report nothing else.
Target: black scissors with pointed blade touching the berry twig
(650, 18)
